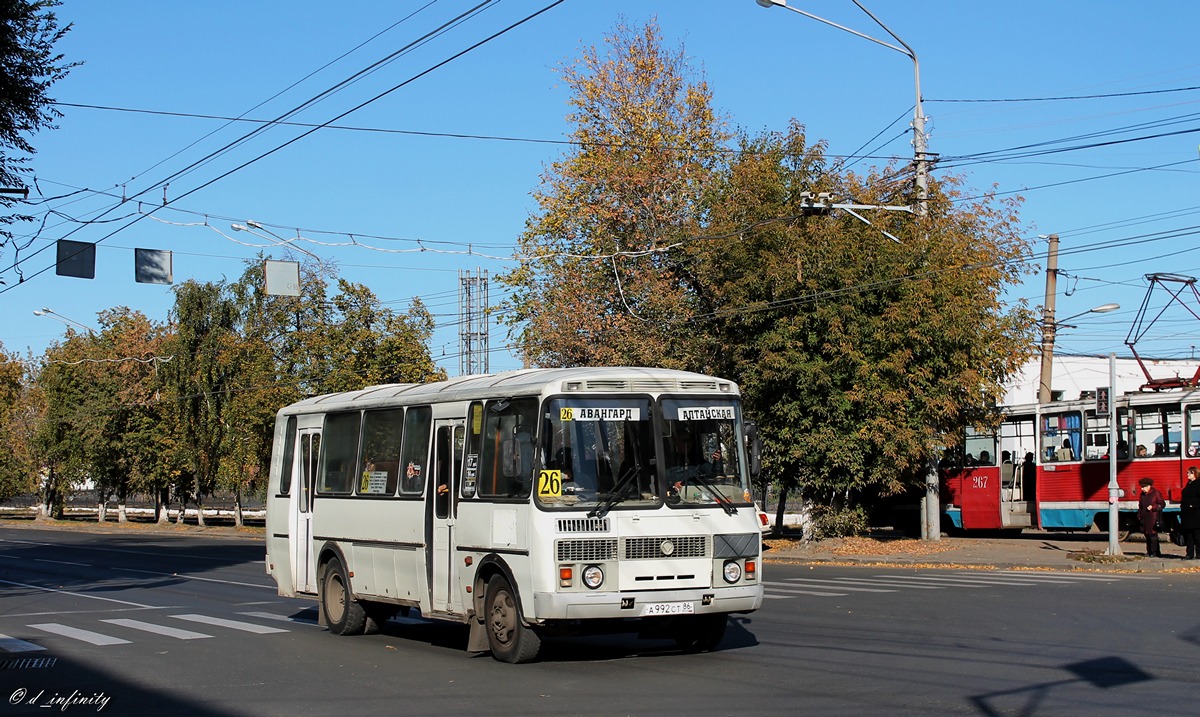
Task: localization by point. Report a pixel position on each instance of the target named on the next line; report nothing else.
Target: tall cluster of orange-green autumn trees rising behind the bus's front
(665, 239)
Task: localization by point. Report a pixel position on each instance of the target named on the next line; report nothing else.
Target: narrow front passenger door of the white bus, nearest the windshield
(448, 448)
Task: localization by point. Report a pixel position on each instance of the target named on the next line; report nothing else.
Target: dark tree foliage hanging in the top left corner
(29, 65)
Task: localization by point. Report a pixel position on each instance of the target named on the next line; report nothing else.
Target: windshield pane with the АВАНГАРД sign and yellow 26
(598, 453)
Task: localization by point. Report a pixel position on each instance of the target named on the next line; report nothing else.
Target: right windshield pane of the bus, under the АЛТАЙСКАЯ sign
(704, 456)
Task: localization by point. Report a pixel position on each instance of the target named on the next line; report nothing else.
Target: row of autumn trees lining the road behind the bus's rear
(187, 408)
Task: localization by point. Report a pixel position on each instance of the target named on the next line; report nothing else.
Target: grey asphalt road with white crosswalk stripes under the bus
(184, 625)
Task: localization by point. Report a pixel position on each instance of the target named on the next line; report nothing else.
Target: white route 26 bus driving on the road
(521, 504)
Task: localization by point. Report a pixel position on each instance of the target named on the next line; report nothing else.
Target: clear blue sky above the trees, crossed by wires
(455, 153)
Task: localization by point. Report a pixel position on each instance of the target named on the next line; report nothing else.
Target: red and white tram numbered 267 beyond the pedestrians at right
(1049, 465)
